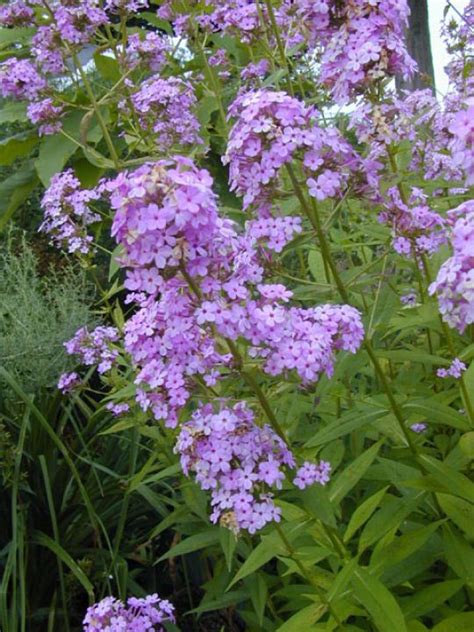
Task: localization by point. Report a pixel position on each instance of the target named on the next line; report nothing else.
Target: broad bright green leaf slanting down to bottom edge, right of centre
(378, 601)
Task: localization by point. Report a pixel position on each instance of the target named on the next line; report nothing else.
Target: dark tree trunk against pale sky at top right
(419, 47)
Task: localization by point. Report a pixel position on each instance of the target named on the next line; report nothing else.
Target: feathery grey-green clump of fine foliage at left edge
(38, 312)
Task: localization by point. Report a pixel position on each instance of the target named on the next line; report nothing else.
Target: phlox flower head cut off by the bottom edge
(145, 614)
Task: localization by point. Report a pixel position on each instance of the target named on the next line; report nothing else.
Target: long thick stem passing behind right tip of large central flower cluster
(313, 215)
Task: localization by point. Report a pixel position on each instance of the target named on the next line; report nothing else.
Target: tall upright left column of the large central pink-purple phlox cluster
(166, 218)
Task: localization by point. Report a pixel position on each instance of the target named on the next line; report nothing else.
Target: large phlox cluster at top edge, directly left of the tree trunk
(367, 46)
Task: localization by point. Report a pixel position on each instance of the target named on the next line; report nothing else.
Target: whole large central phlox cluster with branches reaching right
(197, 281)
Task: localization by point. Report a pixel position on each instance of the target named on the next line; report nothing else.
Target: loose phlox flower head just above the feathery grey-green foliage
(67, 214)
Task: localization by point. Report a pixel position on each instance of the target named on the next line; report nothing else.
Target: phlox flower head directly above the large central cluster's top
(165, 110)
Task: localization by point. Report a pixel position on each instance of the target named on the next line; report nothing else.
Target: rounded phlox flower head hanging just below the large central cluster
(238, 461)
